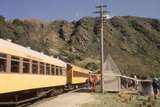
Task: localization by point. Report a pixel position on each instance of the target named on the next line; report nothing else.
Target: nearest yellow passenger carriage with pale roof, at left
(24, 69)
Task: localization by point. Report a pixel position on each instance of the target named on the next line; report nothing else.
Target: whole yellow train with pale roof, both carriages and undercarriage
(25, 73)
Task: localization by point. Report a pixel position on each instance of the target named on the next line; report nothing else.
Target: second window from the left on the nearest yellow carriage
(15, 64)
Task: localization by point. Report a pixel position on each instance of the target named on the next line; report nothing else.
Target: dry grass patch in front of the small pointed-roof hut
(122, 100)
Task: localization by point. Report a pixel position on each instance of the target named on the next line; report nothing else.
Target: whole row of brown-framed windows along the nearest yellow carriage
(17, 65)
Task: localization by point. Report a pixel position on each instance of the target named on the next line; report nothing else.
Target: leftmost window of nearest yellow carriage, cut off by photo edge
(2, 62)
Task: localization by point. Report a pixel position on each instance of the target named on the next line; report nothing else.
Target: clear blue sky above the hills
(74, 9)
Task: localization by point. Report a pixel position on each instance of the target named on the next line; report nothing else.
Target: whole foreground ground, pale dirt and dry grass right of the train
(84, 98)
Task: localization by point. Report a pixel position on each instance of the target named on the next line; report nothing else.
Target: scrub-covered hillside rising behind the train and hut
(133, 42)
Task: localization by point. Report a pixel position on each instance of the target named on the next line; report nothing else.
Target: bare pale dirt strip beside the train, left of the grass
(74, 99)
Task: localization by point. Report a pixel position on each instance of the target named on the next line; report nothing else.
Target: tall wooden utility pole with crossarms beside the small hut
(101, 12)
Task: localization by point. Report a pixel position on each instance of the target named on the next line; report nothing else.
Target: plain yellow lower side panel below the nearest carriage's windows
(12, 82)
